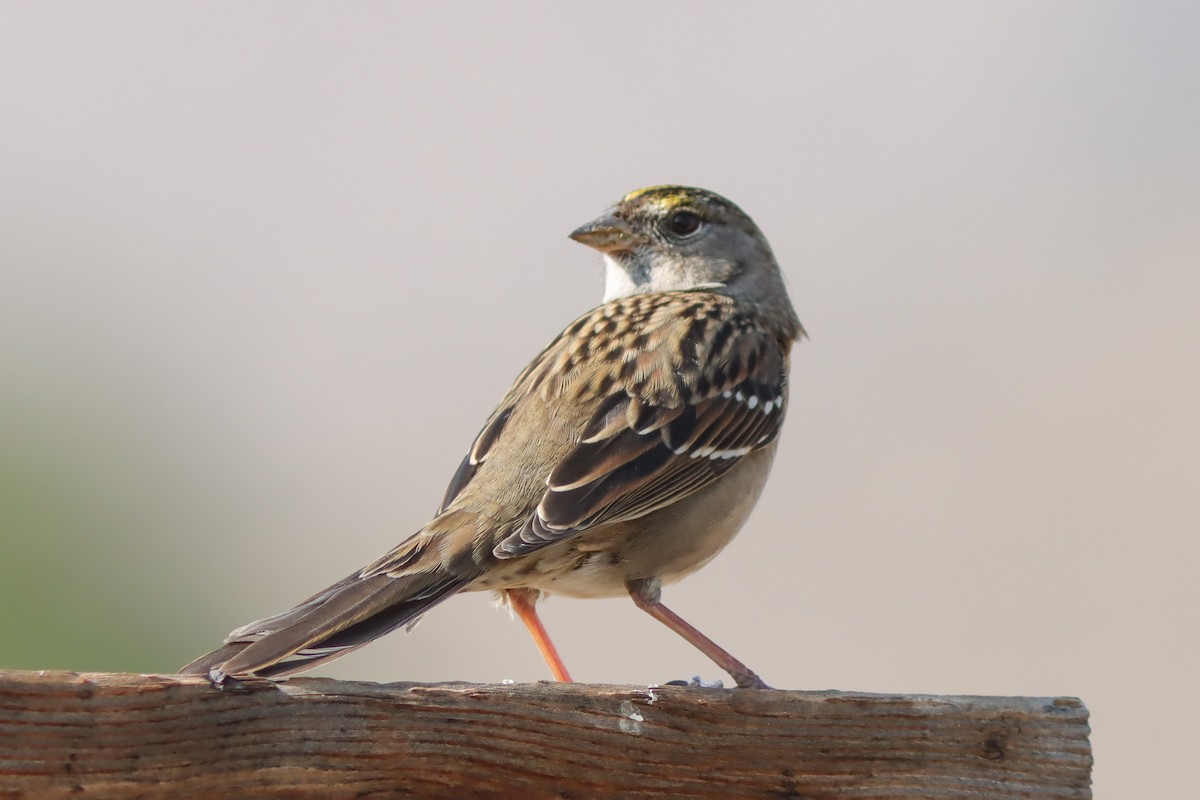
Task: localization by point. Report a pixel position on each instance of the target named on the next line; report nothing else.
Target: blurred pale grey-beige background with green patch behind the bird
(248, 255)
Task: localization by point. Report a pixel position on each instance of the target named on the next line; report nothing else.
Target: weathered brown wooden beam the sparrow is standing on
(123, 736)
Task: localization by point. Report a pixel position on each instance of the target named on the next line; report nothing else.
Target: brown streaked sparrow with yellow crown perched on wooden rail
(626, 456)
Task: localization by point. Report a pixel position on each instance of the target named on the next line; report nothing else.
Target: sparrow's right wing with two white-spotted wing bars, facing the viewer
(643, 452)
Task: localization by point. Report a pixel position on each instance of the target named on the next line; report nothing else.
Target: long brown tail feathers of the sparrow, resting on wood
(349, 615)
